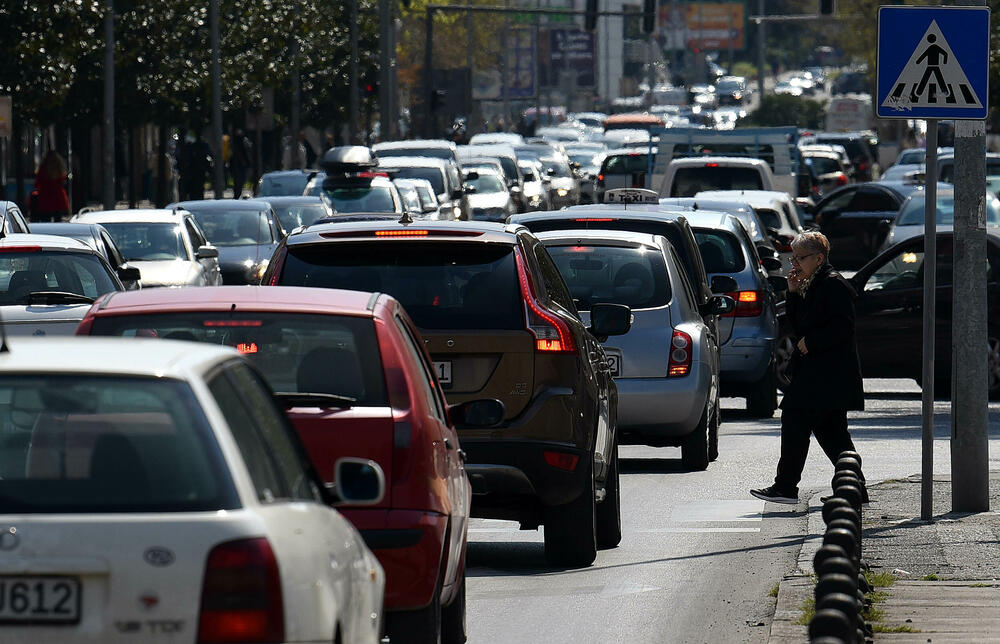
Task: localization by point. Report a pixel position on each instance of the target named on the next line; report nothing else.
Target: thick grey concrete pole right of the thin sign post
(970, 459)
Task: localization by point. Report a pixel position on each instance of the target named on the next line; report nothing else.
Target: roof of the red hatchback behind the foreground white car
(255, 298)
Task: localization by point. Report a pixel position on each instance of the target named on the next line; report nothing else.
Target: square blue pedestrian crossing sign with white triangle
(933, 62)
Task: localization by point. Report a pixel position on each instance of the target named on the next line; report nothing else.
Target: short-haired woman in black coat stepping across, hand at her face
(825, 368)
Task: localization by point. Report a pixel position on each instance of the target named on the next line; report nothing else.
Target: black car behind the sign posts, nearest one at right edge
(889, 323)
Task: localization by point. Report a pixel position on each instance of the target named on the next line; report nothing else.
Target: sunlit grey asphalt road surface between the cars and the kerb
(699, 554)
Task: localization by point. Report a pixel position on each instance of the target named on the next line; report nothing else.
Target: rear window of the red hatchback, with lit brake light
(295, 352)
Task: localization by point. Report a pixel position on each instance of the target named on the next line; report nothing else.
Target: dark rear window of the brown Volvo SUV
(442, 285)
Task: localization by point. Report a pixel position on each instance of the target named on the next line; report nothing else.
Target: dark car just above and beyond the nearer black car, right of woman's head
(856, 219)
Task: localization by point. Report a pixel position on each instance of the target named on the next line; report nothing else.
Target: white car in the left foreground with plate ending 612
(154, 492)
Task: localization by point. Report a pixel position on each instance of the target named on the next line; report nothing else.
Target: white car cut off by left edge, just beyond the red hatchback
(47, 284)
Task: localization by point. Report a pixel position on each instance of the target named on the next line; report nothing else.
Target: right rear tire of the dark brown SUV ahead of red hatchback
(571, 528)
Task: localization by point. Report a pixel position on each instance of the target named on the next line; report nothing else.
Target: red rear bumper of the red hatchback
(409, 545)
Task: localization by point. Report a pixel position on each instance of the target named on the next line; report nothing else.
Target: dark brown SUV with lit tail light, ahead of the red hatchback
(498, 322)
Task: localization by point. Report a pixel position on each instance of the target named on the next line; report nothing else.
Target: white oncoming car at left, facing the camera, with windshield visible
(167, 246)
